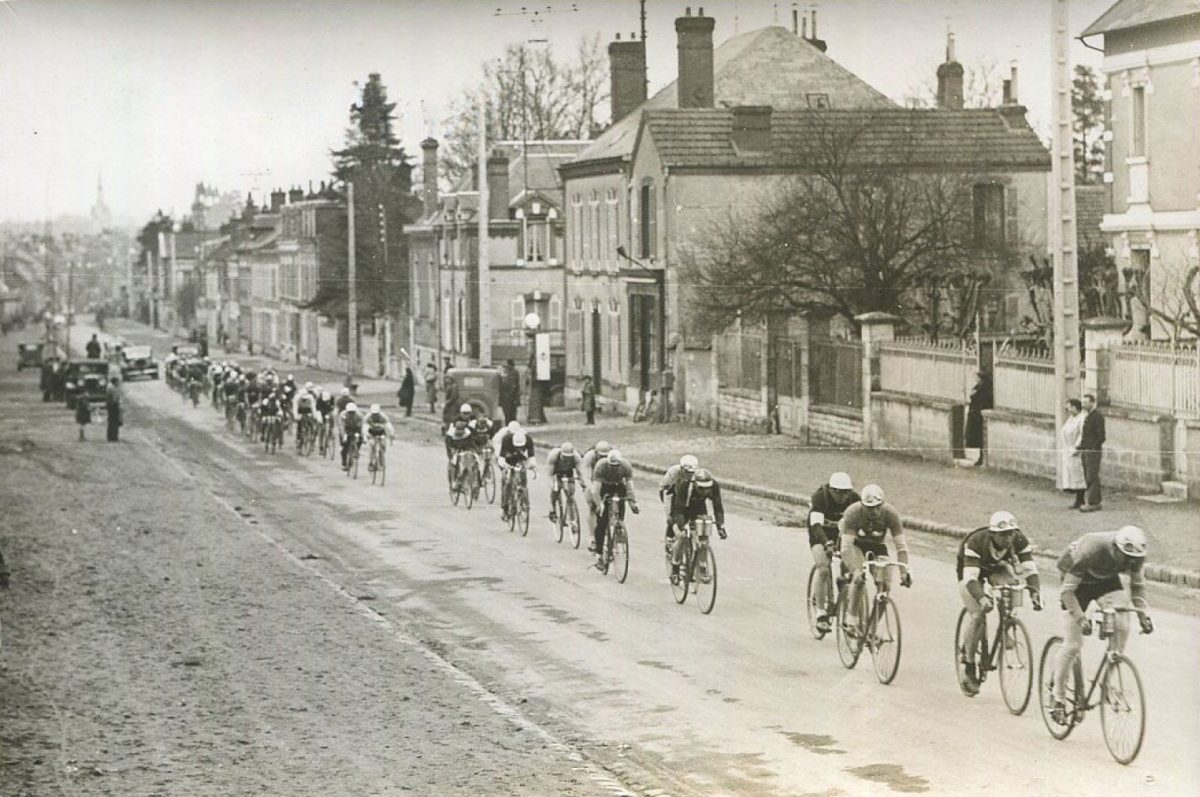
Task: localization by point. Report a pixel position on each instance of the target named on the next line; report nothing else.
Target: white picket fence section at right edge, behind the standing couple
(1159, 377)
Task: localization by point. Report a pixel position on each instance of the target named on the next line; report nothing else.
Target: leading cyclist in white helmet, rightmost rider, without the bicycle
(1091, 570)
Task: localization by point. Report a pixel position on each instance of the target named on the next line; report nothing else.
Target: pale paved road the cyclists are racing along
(740, 703)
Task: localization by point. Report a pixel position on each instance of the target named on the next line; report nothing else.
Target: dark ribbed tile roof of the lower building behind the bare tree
(979, 139)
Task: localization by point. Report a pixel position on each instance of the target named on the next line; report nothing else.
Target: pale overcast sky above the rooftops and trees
(153, 97)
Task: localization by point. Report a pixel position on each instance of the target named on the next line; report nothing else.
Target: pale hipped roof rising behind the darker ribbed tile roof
(770, 67)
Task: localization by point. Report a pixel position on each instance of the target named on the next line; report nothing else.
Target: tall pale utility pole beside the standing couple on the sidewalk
(1063, 220)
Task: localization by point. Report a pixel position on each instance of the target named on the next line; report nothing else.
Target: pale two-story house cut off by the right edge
(1153, 67)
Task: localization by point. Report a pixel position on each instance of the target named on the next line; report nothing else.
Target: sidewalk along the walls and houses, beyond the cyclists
(932, 498)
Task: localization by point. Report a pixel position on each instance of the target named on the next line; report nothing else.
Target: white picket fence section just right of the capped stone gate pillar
(922, 368)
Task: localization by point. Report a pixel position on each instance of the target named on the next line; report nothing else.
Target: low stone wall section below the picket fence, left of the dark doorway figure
(917, 427)
